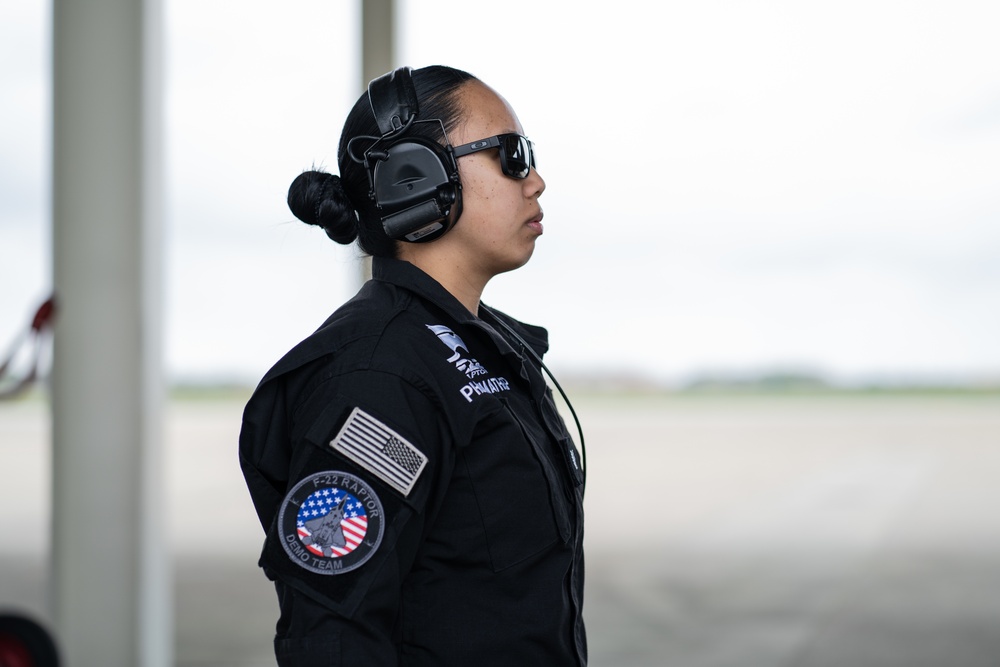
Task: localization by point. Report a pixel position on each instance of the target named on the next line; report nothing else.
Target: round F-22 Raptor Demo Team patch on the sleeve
(331, 523)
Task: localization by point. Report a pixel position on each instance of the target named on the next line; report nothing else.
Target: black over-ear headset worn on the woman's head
(414, 180)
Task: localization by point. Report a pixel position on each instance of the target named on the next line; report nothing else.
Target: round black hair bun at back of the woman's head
(318, 198)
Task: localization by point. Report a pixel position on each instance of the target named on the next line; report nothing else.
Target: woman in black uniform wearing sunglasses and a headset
(421, 496)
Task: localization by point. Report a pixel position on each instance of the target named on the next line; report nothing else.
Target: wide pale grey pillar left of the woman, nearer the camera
(110, 559)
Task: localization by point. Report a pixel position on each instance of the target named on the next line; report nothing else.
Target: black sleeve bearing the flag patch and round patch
(370, 458)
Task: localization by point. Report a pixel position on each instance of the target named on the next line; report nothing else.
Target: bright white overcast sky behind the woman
(731, 186)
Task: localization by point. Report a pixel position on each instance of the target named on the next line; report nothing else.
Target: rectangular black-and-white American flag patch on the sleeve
(380, 450)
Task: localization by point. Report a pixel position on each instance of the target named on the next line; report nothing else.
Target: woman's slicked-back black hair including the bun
(340, 204)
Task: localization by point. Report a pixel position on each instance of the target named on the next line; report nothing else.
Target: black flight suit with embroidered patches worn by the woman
(422, 498)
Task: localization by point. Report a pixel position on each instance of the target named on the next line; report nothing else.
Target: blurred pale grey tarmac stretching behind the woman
(747, 531)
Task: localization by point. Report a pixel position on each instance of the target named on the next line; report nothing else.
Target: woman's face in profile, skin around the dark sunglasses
(501, 216)
